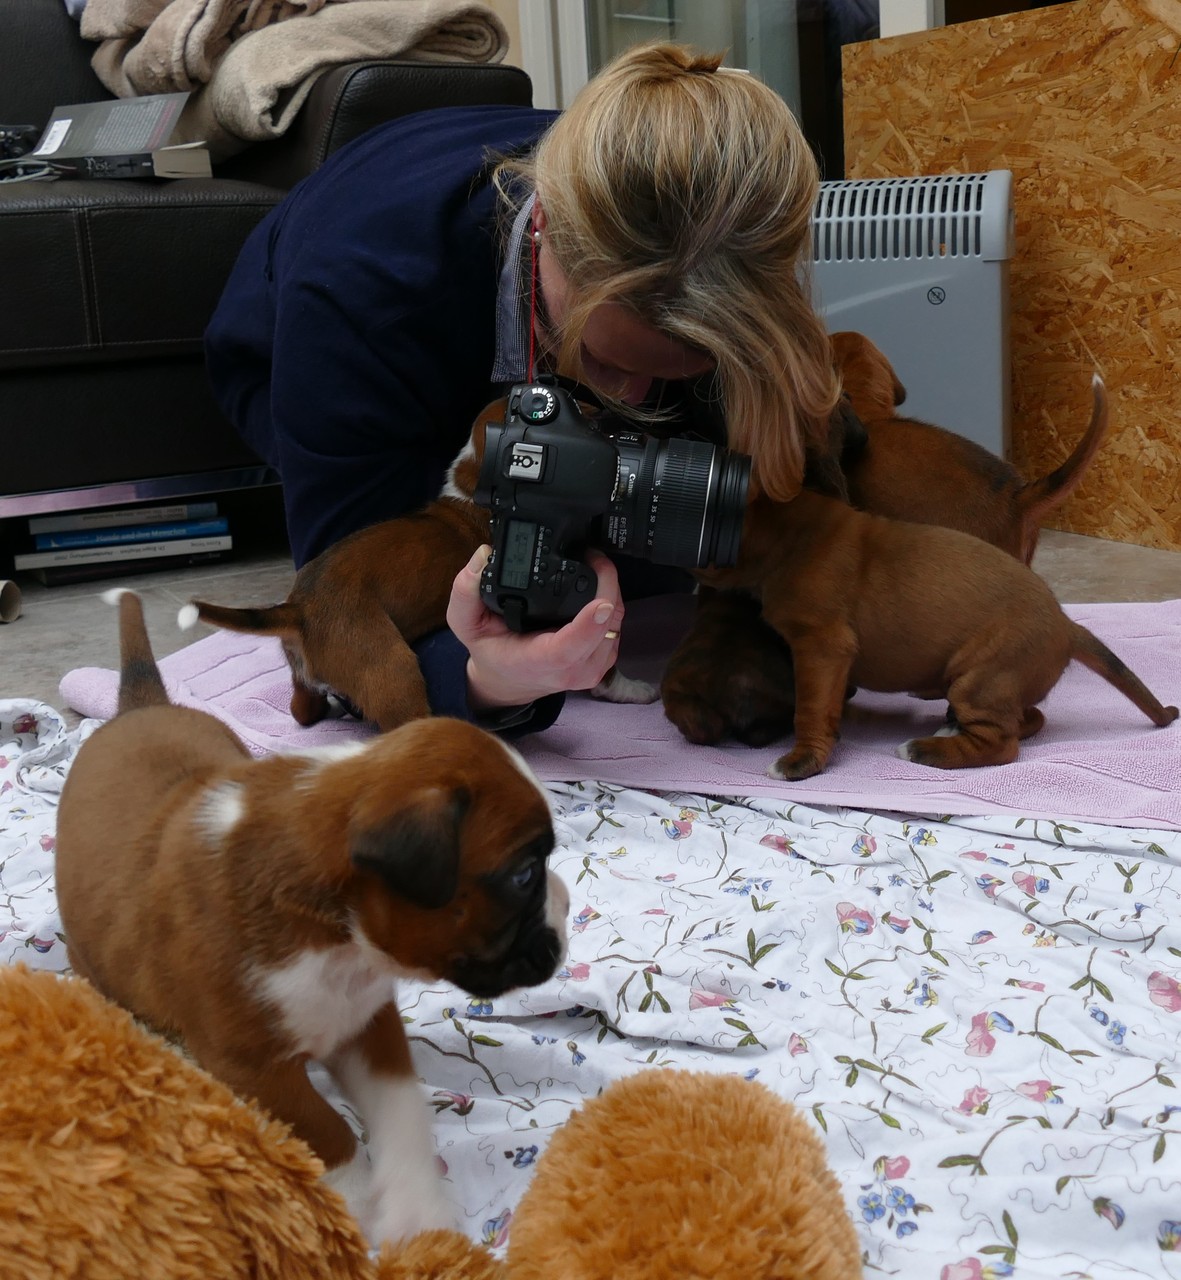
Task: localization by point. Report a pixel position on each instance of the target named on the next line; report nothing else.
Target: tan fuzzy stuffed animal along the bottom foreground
(120, 1159)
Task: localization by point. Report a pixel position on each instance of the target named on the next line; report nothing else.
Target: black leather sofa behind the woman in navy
(107, 287)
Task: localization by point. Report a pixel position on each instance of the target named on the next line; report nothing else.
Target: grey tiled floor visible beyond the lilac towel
(70, 627)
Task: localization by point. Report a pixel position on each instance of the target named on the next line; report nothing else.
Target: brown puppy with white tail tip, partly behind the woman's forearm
(354, 612)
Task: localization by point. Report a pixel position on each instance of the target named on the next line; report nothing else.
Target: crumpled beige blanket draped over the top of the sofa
(254, 62)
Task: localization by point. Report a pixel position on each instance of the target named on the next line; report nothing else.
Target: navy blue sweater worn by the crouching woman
(354, 344)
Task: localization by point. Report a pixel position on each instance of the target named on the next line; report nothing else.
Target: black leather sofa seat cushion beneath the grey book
(120, 269)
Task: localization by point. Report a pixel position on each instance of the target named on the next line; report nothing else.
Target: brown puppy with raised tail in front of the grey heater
(912, 470)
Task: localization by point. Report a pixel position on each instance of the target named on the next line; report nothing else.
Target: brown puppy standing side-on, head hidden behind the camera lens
(894, 606)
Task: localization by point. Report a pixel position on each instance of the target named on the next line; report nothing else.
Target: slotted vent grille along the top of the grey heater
(962, 216)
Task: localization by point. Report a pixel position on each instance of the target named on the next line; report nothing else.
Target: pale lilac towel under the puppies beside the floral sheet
(1098, 760)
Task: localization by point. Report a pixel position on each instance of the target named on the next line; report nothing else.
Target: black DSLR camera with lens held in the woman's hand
(559, 482)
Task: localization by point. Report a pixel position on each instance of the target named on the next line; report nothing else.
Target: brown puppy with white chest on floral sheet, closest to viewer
(264, 911)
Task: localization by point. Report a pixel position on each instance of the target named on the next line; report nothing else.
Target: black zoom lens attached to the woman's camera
(679, 502)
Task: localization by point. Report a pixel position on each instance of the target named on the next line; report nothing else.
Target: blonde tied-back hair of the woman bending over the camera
(686, 194)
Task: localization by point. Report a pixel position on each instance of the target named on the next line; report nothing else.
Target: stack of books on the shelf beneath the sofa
(91, 545)
